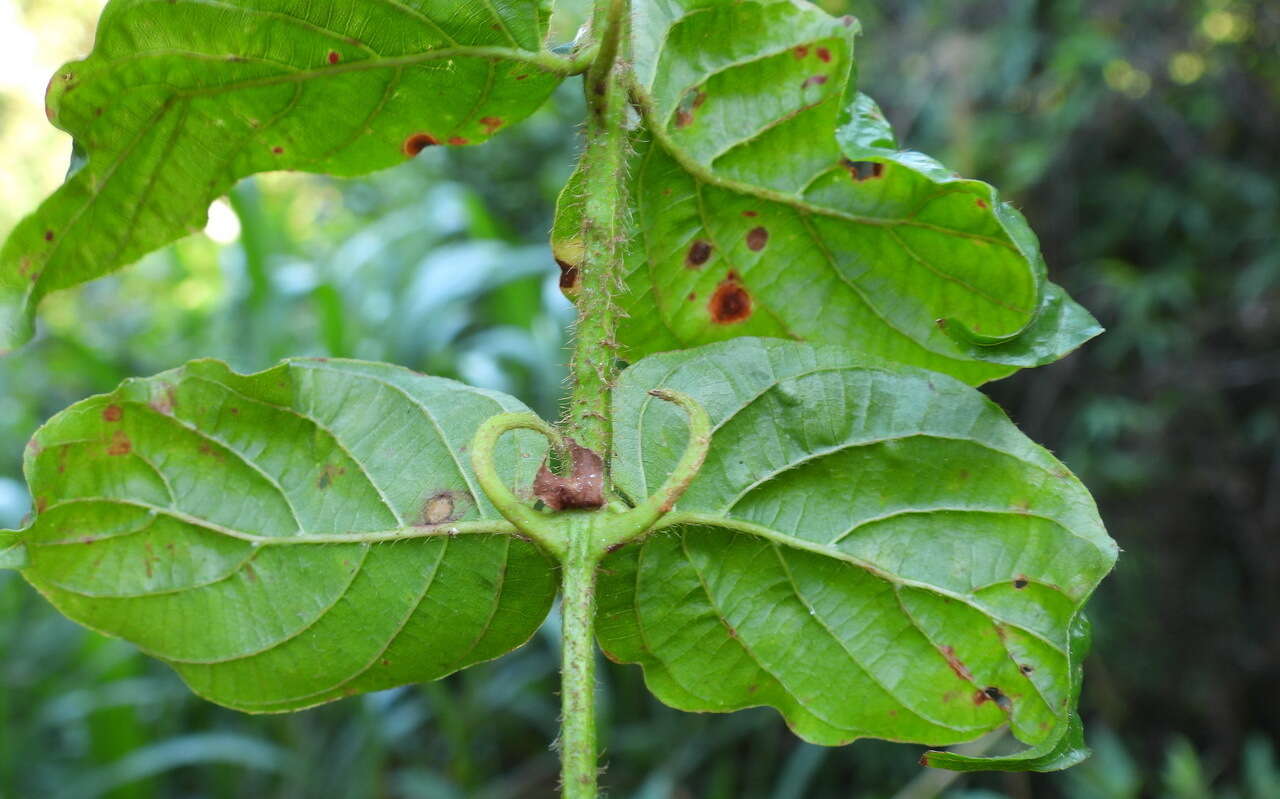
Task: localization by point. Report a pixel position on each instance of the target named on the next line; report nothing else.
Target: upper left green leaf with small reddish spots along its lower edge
(182, 99)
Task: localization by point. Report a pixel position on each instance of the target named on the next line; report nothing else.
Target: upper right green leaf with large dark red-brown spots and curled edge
(770, 200)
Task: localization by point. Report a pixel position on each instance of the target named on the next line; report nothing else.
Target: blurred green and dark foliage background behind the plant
(1142, 139)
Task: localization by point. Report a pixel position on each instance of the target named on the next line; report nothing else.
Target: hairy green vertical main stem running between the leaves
(593, 372)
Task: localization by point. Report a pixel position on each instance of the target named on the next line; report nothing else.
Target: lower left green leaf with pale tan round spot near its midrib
(291, 537)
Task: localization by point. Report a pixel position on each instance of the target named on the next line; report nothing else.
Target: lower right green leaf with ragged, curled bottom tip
(872, 550)
